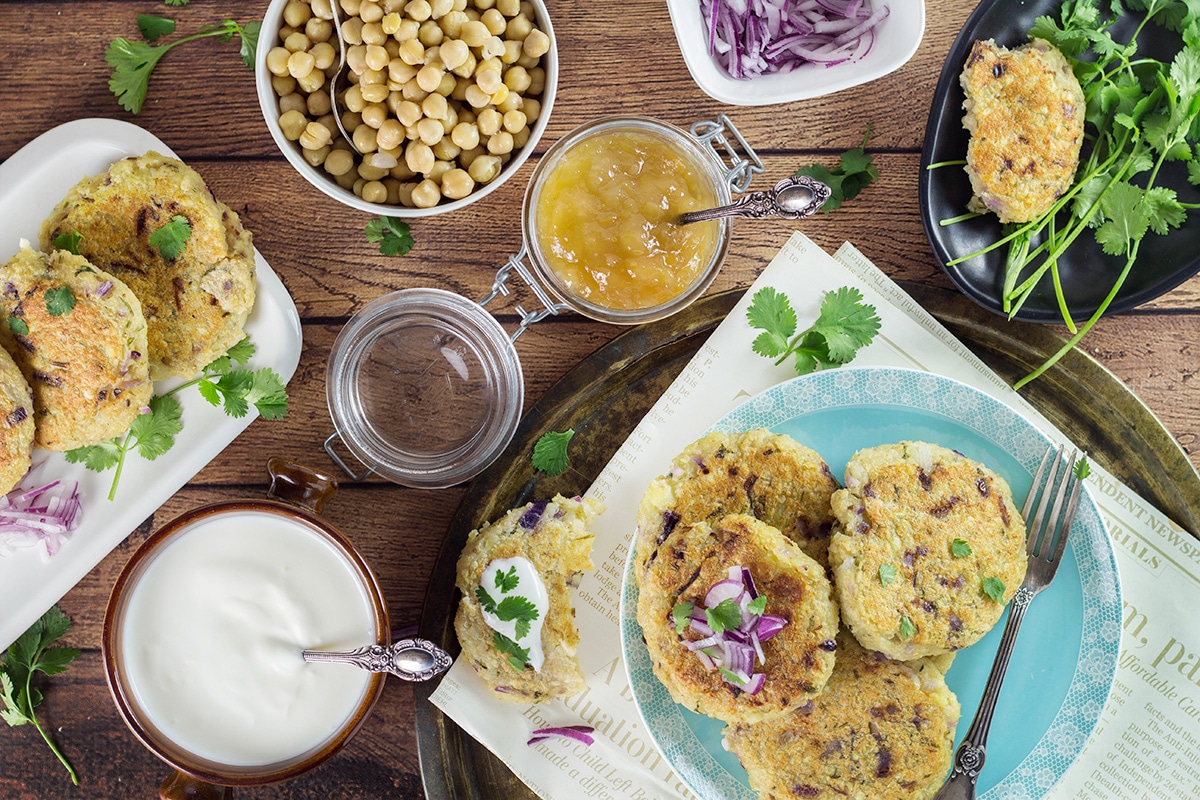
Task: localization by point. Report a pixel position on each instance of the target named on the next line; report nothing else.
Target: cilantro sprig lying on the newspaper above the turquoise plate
(844, 326)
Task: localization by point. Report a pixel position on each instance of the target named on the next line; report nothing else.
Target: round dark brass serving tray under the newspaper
(608, 394)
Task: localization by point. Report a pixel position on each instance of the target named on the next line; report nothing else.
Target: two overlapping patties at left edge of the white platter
(80, 340)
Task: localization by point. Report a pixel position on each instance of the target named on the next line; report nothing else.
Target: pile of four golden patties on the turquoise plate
(926, 551)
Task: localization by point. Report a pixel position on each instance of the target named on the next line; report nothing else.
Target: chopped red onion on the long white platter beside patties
(39, 516)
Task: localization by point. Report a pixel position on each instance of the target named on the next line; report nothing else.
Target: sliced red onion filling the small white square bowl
(754, 38)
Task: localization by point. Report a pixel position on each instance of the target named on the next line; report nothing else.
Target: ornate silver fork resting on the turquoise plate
(1046, 545)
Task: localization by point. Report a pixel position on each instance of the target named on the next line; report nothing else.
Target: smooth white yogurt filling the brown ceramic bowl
(214, 630)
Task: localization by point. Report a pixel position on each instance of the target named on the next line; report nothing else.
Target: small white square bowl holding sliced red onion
(896, 40)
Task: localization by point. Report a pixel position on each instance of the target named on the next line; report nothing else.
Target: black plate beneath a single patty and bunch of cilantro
(1088, 274)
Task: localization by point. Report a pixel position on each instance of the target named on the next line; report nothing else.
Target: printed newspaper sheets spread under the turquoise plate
(1154, 711)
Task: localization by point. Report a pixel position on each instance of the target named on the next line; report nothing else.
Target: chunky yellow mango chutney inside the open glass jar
(604, 219)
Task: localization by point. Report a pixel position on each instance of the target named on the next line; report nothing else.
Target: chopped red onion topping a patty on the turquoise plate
(734, 651)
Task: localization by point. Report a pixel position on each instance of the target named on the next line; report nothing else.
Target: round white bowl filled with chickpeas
(441, 101)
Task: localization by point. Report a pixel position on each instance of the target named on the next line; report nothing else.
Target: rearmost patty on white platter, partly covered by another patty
(196, 300)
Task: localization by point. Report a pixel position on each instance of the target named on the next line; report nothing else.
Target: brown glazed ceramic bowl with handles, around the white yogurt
(297, 497)
